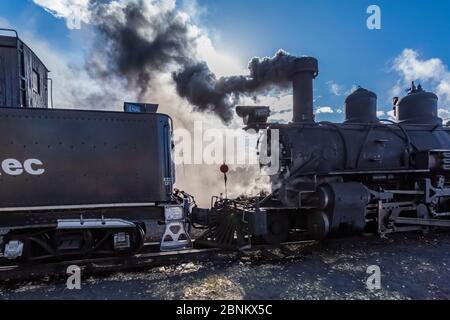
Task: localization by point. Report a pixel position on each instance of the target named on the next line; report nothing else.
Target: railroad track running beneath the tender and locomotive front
(146, 259)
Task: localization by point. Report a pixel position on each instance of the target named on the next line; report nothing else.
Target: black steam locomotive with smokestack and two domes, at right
(363, 175)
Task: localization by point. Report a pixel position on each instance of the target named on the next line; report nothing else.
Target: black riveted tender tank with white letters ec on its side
(89, 157)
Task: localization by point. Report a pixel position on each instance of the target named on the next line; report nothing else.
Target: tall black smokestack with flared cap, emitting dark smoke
(305, 71)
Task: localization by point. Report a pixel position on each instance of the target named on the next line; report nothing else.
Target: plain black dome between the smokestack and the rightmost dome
(361, 107)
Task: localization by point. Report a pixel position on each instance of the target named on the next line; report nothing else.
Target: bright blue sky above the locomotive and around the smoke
(333, 31)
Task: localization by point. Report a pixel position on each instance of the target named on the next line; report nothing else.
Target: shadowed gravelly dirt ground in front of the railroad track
(412, 267)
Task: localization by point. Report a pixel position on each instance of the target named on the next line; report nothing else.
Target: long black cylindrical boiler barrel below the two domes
(330, 148)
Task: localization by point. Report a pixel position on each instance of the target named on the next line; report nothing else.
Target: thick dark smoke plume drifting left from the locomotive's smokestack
(138, 47)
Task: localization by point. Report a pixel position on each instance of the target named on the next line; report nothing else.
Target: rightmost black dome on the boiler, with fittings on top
(418, 107)
